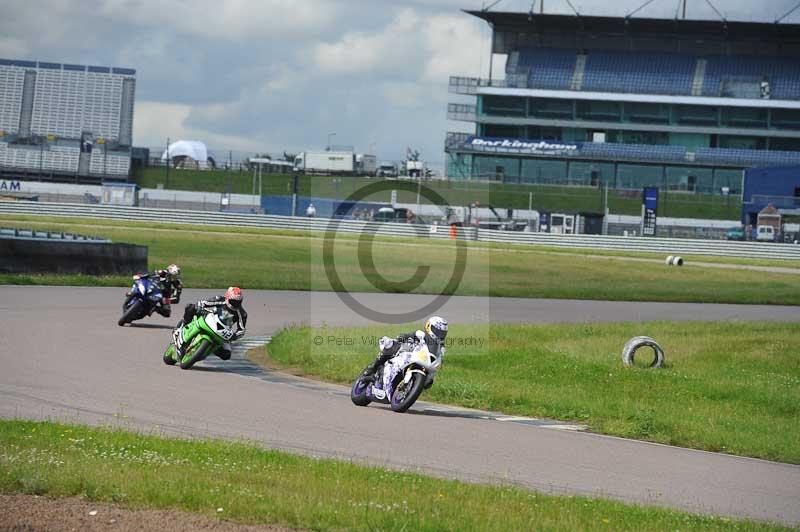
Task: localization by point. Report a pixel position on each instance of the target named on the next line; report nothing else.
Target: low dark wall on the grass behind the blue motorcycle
(18, 255)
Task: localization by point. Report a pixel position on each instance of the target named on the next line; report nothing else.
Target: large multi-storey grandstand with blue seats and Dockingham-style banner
(630, 102)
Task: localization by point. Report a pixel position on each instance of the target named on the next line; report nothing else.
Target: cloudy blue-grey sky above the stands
(274, 75)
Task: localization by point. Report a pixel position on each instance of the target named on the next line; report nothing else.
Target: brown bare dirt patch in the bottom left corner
(29, 513)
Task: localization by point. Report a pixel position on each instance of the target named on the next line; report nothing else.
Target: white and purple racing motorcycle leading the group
(401, 380)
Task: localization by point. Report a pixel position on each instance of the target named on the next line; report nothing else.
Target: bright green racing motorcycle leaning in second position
(203, 336)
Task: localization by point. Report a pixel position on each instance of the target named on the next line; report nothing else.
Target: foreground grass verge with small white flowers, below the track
(257, 486)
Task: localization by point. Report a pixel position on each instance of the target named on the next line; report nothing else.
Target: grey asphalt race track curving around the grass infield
(63, 358)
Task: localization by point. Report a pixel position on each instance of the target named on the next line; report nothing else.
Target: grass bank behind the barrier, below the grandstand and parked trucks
(546, 198)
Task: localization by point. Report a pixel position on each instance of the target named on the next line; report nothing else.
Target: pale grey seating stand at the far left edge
(65, 122)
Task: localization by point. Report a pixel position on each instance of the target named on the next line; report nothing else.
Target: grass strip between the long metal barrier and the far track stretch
(218, 257)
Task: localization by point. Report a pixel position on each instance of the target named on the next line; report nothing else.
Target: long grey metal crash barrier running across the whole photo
(600, 242)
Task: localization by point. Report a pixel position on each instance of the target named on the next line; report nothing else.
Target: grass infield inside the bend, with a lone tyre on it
(729, 387)
